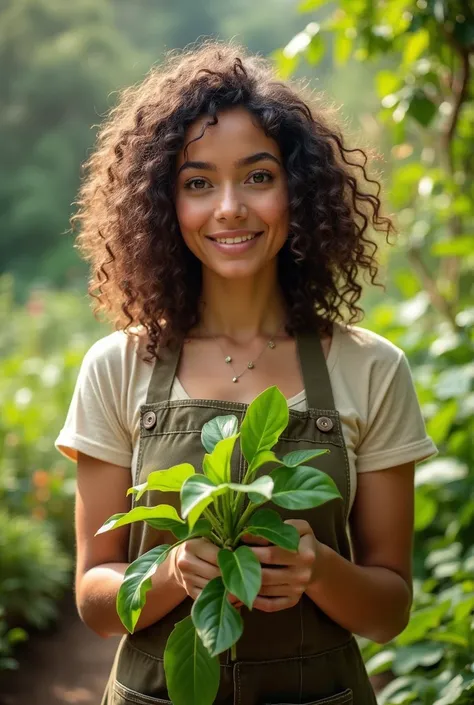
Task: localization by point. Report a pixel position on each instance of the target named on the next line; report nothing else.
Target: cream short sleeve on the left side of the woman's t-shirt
(93, 423)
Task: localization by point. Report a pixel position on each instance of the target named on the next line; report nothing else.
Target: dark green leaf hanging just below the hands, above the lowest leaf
(217, 622)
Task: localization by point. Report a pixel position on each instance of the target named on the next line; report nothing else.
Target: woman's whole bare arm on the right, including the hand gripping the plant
(372, 596)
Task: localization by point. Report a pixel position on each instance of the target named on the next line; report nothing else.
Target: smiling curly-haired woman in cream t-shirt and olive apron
(227, 226)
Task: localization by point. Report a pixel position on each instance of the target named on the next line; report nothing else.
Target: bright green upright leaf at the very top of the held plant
(266, 418)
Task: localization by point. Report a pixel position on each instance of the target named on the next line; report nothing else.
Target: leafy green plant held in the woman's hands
(211, 506)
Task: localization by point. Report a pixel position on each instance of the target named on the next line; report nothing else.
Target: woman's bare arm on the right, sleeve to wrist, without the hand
(372, 596)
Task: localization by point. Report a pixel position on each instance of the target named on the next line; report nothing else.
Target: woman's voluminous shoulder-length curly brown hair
(142, 272)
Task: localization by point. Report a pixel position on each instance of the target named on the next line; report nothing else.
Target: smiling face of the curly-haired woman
(231, 195)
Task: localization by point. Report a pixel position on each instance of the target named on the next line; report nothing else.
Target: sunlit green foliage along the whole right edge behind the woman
(424, 52)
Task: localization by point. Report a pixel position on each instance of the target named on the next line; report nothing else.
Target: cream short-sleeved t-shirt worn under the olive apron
(372, 386)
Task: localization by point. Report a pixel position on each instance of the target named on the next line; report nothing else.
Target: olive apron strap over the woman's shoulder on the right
(314, 371)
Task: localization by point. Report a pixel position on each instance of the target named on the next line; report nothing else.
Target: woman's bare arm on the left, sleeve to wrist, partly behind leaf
(102, 560)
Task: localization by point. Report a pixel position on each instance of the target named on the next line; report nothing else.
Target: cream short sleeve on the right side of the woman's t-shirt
(395, 431)
